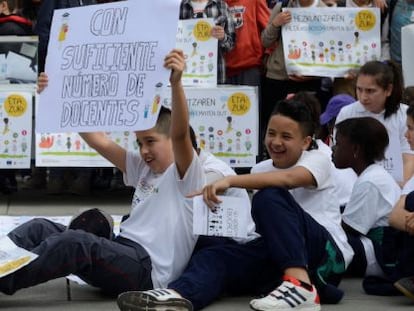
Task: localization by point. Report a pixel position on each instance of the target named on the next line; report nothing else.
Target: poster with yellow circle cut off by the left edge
(15, 128)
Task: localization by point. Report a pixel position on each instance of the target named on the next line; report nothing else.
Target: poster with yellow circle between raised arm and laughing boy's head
(225, 120)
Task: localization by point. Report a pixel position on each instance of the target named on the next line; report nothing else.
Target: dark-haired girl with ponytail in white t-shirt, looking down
(379, 92)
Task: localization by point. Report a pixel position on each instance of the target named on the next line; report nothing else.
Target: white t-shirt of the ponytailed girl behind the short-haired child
(396, 128)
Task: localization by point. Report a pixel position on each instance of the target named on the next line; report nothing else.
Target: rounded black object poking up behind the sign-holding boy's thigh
(94, 221)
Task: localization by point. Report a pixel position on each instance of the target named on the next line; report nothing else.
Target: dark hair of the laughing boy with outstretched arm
(300, 112)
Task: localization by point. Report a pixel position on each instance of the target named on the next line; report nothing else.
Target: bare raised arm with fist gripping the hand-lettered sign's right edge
(180, 134)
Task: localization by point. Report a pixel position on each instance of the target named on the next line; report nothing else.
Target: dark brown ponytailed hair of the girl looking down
(386, 73)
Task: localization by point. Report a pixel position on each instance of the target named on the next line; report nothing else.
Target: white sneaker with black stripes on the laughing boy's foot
(290, 295)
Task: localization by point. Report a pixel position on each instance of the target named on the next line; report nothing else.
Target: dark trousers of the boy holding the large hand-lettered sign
(114, 266)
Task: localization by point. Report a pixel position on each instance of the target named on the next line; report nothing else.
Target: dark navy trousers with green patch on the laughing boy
(290, 238)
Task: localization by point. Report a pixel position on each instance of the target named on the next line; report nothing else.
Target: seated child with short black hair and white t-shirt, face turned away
(360, 144)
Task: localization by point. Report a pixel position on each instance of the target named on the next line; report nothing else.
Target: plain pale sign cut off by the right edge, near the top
(407, 50)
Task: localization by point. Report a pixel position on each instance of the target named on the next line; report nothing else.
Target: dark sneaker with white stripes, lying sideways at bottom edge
(153, 300)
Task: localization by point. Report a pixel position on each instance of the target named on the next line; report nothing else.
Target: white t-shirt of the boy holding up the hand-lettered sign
(161, 215)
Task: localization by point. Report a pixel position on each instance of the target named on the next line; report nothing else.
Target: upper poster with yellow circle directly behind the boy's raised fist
(200, 51)
